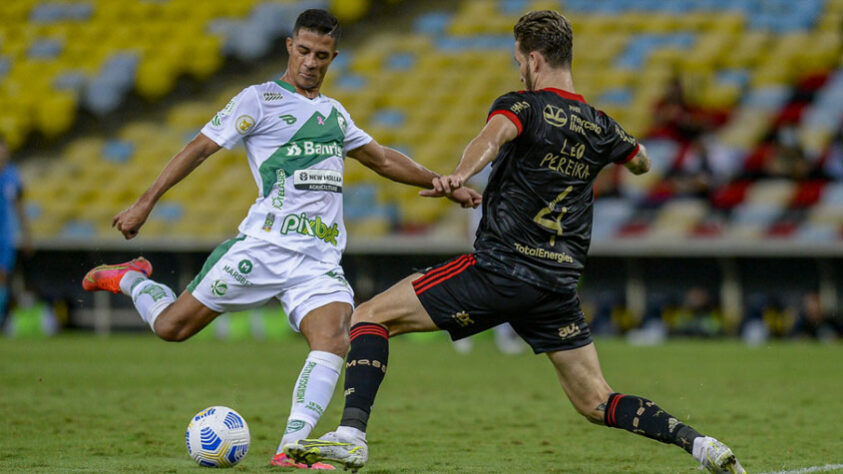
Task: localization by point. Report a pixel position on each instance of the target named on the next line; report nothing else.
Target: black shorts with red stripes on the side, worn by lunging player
(464, 299)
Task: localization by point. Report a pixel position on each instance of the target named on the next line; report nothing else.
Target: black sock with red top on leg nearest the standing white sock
(365, 368)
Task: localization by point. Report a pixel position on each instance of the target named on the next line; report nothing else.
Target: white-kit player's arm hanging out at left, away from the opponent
(192, 155)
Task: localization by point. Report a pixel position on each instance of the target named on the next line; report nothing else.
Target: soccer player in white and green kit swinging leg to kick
(290, 243)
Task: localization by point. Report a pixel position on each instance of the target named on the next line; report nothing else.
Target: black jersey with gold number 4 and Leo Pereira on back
(537, 206)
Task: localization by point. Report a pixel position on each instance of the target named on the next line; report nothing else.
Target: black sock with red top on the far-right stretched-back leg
(641, 416)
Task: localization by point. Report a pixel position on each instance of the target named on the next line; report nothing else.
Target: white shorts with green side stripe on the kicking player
(246, 272)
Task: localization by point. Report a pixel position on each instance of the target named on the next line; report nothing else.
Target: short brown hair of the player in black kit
(547, 32)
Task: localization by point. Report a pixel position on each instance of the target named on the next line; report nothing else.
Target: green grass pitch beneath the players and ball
(90, 404)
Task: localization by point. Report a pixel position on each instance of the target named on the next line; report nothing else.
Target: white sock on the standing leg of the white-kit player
(311, 395)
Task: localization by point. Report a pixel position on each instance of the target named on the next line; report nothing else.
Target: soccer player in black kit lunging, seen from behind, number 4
(546, 146)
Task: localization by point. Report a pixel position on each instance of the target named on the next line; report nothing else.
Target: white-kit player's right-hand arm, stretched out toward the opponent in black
(399, 167)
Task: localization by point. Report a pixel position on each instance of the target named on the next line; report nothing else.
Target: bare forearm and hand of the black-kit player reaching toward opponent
(479, 152)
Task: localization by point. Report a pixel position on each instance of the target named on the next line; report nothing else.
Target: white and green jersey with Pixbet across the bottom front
(296, 147)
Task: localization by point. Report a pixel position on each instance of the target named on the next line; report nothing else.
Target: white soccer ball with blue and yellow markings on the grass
(217, 437)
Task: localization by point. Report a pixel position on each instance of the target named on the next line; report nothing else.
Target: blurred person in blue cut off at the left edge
(12, 221)
